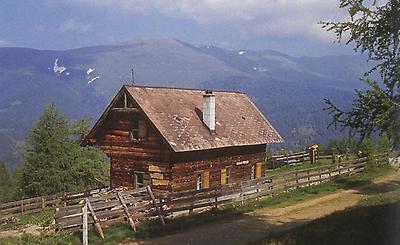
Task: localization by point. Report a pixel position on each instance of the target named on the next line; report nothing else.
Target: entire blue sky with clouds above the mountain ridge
(288, 26)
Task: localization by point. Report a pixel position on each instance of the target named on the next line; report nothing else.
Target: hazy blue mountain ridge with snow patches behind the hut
(289, 90)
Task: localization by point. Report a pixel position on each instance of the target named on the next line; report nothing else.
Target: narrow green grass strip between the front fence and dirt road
(152, 228)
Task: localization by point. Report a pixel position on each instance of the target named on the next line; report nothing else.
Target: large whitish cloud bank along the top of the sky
(247, 17)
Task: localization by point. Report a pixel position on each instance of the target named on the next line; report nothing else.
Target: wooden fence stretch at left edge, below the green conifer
(38, 204)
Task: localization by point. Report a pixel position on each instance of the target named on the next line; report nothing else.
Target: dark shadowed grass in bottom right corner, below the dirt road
(378, 224)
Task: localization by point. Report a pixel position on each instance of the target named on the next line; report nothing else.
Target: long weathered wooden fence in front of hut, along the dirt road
(131, 206)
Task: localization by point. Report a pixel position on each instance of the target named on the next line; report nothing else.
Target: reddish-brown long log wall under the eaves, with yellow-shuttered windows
(186, 166)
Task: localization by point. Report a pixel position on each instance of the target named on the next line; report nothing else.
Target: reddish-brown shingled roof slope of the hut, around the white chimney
(176, 113)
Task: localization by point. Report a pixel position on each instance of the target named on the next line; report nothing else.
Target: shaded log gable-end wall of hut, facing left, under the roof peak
(150, 154)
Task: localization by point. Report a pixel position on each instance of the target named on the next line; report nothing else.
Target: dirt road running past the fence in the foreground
(256, 225)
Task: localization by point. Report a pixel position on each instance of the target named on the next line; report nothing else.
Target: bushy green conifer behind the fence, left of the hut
(55, 161)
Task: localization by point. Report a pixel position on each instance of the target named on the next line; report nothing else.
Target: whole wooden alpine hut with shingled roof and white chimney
(177, 139)
